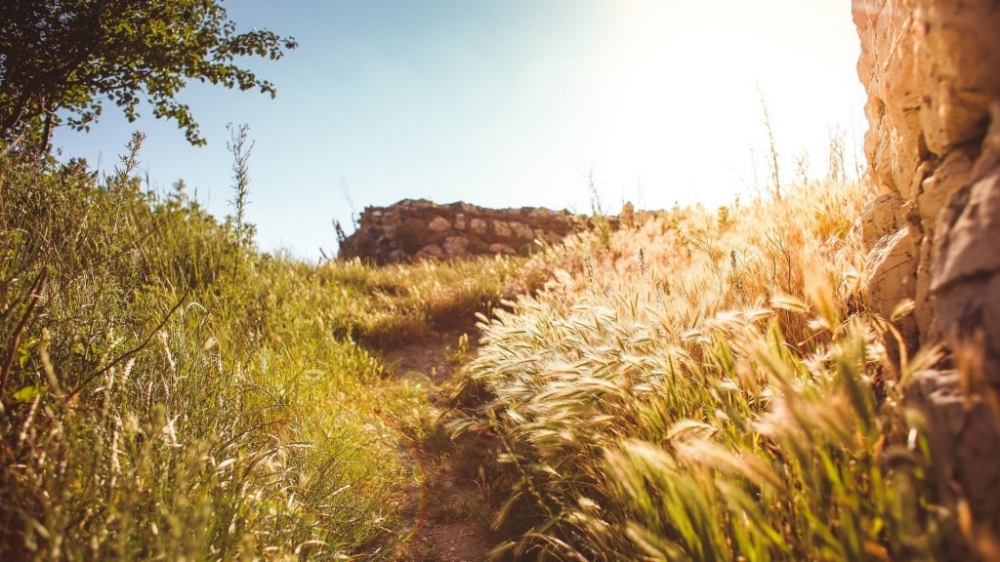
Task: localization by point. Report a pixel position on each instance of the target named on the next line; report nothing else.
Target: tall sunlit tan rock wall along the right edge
(932, 72)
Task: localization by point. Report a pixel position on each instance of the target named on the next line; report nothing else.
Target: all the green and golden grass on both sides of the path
(700, 385)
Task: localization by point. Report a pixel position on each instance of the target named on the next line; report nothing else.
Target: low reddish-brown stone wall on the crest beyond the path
(419, 229)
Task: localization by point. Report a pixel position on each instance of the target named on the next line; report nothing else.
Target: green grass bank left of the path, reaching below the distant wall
(169, 392)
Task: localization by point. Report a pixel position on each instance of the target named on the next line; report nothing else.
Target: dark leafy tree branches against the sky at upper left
(65, 58)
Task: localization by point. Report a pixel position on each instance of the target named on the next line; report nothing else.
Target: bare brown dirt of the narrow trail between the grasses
(451, 525)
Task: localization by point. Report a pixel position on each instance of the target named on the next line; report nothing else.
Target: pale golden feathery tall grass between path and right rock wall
(709, 386)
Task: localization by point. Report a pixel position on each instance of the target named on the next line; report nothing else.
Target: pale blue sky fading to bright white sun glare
(507, 103)
